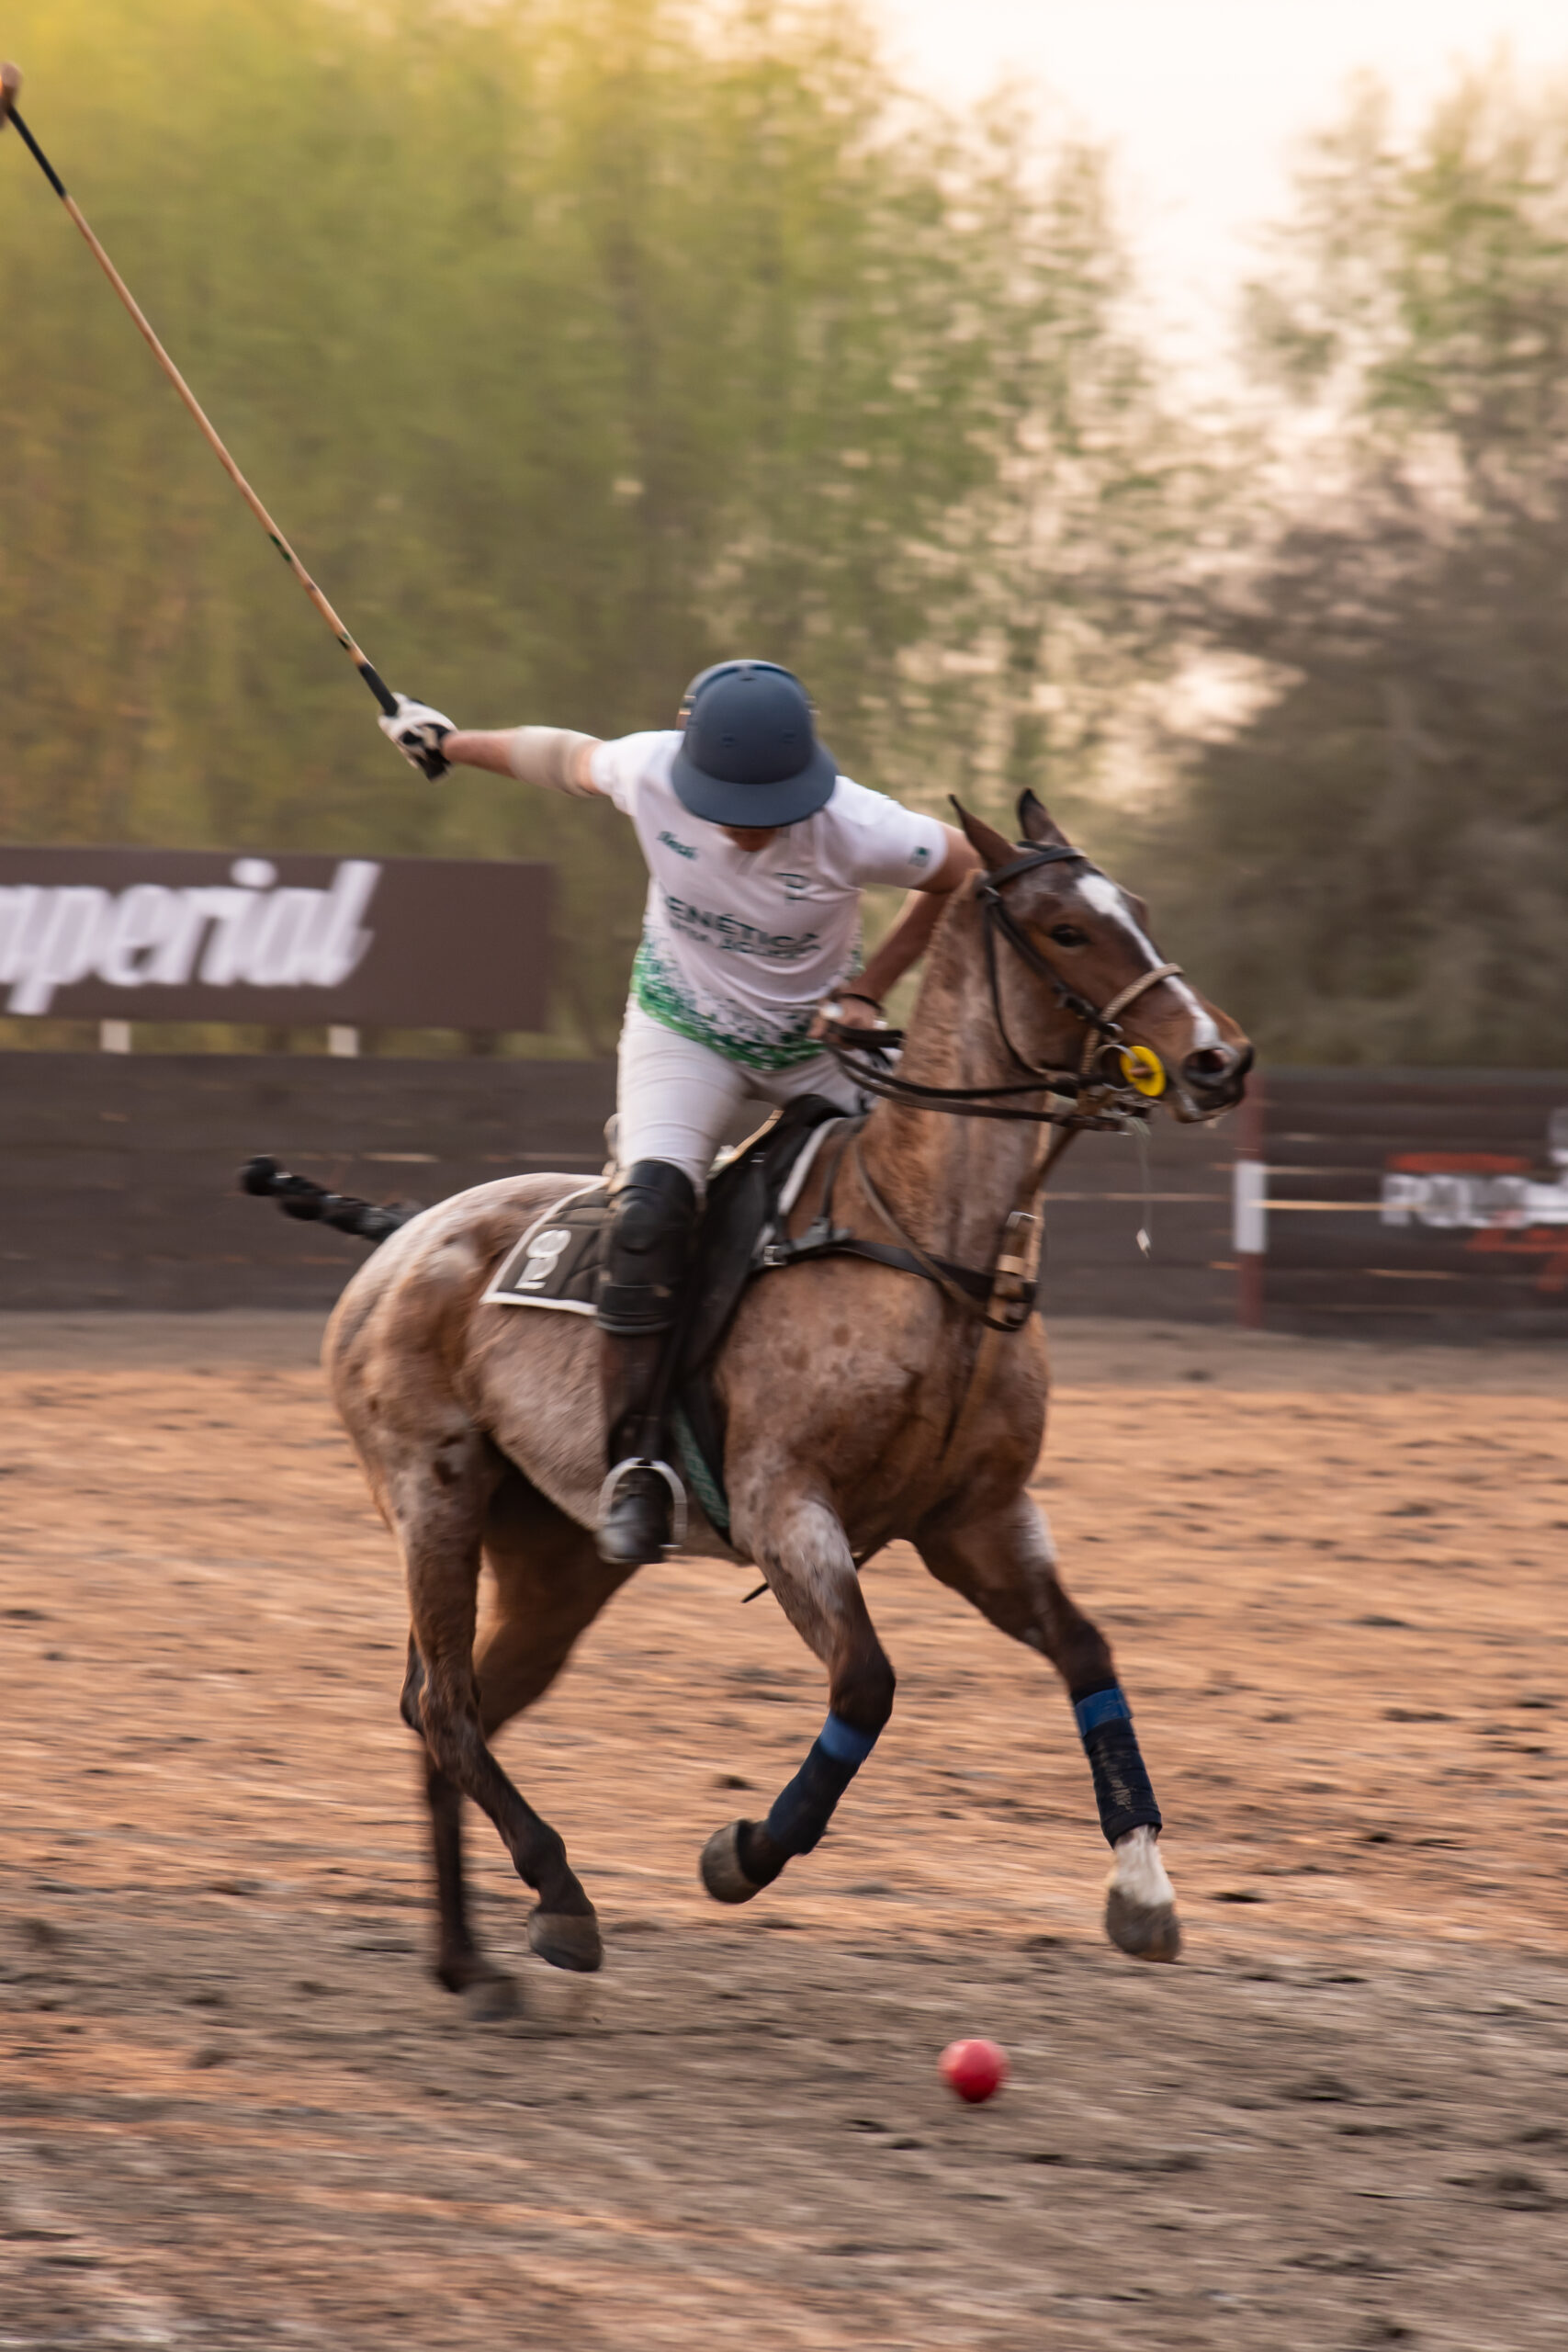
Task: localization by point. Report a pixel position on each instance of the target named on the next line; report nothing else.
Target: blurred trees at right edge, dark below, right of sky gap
(1376, 864)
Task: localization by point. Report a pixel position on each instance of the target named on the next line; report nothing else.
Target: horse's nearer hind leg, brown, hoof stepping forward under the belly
(441, 1525)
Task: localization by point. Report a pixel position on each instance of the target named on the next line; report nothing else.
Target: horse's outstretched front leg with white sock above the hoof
(1007, 1568)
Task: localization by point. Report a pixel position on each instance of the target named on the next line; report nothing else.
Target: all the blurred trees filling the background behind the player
(584, 342)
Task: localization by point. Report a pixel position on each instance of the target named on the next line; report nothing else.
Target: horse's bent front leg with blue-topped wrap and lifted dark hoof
(812, 1572)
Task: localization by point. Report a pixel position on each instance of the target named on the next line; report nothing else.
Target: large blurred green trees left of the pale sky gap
(575, 345)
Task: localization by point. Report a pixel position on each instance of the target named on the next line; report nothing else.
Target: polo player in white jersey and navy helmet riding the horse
(758, 853)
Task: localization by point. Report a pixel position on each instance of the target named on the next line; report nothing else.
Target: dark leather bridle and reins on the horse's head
(1071, 1090)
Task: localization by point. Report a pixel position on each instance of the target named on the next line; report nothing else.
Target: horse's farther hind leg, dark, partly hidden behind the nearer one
(551, 1584)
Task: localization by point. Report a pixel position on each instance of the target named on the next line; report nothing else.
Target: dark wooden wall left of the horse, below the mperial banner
(119, 1170)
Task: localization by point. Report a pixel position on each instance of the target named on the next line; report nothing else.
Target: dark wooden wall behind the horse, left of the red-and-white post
(119, 1177)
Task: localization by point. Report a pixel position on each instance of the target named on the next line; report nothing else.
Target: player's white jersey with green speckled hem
(739, 947)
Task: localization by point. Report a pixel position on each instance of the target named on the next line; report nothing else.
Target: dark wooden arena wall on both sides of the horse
(1362, 1203)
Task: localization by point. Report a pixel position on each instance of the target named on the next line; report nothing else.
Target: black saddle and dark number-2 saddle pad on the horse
(561, 1259)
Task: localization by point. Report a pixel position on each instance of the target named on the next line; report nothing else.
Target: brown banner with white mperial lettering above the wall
(182, 935)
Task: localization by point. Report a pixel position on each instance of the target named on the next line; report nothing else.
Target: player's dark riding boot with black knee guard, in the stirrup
(641, 1299)
